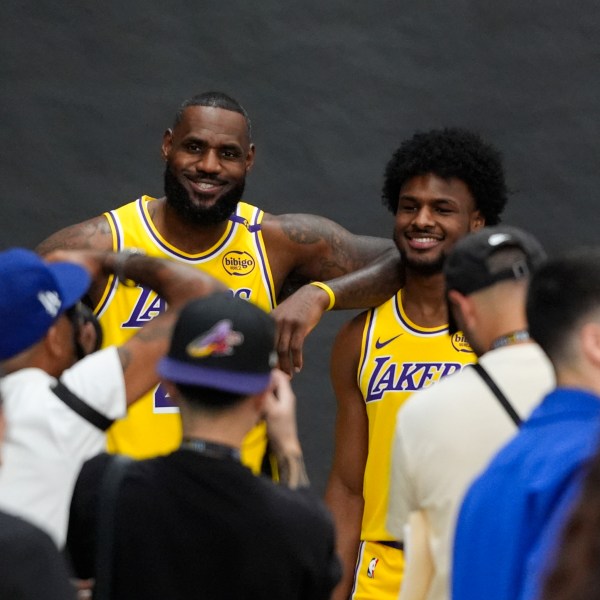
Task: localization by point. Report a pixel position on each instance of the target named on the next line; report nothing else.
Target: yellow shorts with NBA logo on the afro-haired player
(378, 573)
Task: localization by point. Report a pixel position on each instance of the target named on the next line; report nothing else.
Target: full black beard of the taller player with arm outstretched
(178, 198)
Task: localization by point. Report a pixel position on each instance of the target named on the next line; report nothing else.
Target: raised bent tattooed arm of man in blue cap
(175, 282)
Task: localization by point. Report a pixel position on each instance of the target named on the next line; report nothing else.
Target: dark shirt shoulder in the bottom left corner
(31, 567)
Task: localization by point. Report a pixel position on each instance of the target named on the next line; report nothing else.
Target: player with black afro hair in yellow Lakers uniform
(440, 185)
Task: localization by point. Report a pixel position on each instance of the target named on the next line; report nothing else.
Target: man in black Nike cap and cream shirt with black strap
(445, 435)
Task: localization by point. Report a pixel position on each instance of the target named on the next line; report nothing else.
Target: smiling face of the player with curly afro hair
(433, 214)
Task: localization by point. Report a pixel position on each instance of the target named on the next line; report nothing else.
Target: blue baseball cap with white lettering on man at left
(33, 294)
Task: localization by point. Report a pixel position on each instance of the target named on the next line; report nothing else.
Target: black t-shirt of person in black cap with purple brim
(188, 525)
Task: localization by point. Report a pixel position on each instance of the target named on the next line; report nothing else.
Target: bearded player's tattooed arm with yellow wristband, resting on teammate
(362, 272)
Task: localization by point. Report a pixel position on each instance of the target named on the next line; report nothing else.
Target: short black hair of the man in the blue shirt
(562, 293)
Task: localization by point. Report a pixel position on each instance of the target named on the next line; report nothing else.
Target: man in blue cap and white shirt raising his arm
(52, 430)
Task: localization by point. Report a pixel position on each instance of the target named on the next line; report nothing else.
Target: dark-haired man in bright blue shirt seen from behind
(513, 513)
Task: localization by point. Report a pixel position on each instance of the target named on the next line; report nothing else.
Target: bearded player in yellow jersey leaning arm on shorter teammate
(202, 221)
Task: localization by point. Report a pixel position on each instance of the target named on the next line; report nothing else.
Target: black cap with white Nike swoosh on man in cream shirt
(467, 268)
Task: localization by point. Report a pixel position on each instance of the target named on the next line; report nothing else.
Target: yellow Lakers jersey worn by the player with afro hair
(397, 359)
